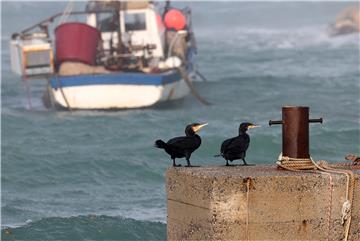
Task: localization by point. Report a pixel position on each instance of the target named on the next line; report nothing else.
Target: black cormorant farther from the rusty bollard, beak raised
(182, 146)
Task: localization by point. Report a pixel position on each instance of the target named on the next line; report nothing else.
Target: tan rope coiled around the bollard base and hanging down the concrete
(301, 164)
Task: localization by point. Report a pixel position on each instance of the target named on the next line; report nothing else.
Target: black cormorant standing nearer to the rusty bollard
(235, 148)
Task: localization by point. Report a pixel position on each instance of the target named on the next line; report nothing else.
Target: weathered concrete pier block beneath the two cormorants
(213, 203)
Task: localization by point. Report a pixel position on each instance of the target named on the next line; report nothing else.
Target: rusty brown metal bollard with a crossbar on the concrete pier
(295, 133)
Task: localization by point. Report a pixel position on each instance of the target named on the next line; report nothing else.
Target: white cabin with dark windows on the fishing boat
(139, 25)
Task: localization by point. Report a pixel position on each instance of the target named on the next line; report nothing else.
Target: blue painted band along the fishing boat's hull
(124, 78)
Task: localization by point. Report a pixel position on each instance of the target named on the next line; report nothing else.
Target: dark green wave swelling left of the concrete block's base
(89, 227)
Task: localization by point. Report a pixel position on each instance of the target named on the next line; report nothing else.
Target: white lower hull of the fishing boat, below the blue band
(118, 96)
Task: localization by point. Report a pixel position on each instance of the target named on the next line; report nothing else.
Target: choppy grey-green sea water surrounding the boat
(95, 175)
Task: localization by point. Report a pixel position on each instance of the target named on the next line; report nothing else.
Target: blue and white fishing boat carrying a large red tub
(124, 55)
